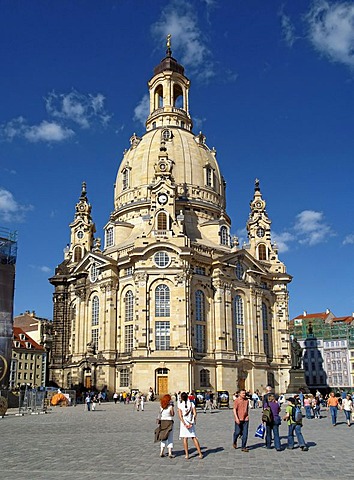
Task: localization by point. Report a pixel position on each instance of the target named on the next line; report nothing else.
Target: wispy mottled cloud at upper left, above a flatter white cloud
(78, 108)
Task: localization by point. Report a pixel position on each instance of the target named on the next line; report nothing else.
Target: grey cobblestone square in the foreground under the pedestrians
(115, 441)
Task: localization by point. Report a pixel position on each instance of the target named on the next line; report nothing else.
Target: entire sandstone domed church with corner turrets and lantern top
(170, 300)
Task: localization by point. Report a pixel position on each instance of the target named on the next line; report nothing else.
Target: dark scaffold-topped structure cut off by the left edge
(8, 254)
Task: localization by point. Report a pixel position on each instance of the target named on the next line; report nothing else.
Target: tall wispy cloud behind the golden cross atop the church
(179, 19)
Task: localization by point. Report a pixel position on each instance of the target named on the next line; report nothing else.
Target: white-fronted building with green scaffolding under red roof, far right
(335, 344)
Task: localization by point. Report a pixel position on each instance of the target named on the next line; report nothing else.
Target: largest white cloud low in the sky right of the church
(311, 228)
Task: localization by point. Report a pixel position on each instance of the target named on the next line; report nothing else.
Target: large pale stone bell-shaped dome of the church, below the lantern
(193, 168)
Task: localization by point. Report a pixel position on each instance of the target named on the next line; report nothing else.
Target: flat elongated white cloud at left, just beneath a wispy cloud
(45, 131)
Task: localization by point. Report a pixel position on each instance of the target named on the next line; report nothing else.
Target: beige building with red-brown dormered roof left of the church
(29, 361)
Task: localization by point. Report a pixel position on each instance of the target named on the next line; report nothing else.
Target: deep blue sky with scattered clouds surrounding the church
(272, 90)
